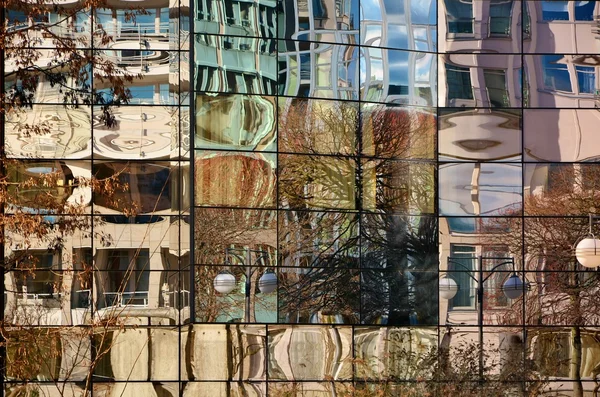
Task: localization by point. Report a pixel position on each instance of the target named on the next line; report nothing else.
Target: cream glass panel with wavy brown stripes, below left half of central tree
(304, 352)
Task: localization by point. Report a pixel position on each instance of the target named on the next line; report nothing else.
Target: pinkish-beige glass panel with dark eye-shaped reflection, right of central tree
(480, 135)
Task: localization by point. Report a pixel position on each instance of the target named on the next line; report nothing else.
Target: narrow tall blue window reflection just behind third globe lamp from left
(463, 261)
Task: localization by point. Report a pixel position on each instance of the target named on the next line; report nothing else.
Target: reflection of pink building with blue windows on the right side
(519, 79)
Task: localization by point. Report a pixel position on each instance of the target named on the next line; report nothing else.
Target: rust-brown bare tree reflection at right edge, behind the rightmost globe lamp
(562, 294)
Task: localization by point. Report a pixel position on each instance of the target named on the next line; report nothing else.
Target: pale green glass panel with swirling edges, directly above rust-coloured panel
(236, 122)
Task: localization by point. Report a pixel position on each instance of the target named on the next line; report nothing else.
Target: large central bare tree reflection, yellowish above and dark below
(374, 164)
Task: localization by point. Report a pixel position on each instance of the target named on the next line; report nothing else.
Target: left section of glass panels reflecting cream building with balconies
(105, 311)
